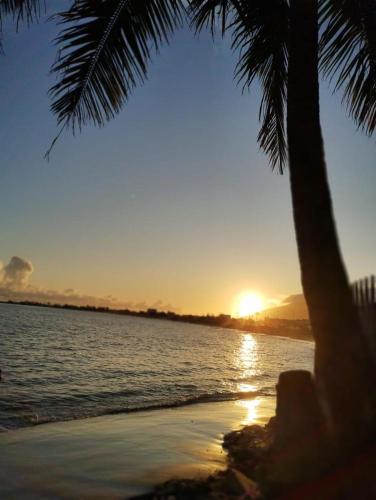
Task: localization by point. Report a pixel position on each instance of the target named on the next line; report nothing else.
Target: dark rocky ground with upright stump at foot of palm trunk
(282, 460)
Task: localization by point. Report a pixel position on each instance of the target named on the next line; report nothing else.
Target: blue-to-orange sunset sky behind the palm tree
(171, 204)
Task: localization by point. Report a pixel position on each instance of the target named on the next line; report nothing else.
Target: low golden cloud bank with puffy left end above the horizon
(14, 285)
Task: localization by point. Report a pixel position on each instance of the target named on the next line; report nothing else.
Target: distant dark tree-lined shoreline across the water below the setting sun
(295, 329)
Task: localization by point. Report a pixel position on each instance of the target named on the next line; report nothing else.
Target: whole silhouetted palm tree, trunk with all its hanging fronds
(104, 49)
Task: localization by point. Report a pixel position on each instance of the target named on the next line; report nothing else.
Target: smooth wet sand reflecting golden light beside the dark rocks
(119, 456)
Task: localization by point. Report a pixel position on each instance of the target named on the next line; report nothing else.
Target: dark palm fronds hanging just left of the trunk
(259, 31)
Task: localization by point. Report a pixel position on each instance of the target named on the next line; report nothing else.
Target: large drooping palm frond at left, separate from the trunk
(103, 53)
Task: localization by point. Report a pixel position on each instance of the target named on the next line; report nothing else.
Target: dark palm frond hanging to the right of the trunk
(348, 55)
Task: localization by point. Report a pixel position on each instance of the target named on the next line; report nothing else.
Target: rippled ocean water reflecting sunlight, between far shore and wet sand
(63, 365)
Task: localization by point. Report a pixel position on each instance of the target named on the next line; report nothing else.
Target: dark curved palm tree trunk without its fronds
(343, 368)
